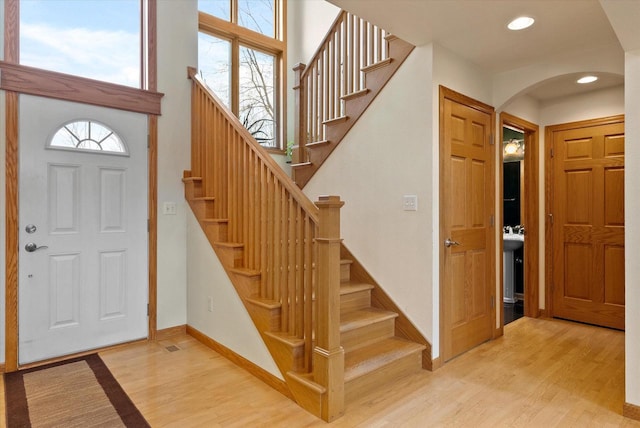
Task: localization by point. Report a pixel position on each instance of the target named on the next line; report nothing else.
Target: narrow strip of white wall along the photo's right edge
(632, 227)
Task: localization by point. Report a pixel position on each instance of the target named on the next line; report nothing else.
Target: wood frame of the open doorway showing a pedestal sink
(531, 218)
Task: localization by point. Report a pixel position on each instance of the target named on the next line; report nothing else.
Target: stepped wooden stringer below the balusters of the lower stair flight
(285, 351)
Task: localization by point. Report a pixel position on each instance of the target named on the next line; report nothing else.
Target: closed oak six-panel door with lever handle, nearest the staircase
(466, 217)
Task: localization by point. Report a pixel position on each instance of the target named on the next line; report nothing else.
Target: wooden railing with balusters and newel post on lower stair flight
(293, 244)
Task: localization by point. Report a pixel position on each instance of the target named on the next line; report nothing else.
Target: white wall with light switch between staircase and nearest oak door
(388, 154)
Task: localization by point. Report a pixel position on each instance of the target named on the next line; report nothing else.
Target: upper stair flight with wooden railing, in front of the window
(354, 62)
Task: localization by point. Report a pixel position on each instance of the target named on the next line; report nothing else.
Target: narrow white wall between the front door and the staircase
(177, 49)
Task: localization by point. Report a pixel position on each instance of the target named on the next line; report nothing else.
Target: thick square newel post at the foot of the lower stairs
(328, 355)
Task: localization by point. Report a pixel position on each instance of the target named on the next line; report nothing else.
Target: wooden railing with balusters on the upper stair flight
(335, 71)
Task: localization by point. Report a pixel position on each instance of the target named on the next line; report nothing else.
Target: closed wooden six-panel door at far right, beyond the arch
(588, 222)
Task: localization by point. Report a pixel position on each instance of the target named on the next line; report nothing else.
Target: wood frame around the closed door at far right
(549, 135)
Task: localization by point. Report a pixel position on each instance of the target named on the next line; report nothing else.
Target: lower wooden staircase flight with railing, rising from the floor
(324, 323)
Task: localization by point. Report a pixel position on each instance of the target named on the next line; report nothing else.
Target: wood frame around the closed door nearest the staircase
(446, 93)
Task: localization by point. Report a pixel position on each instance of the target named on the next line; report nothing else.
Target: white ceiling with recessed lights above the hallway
(477, 31)
